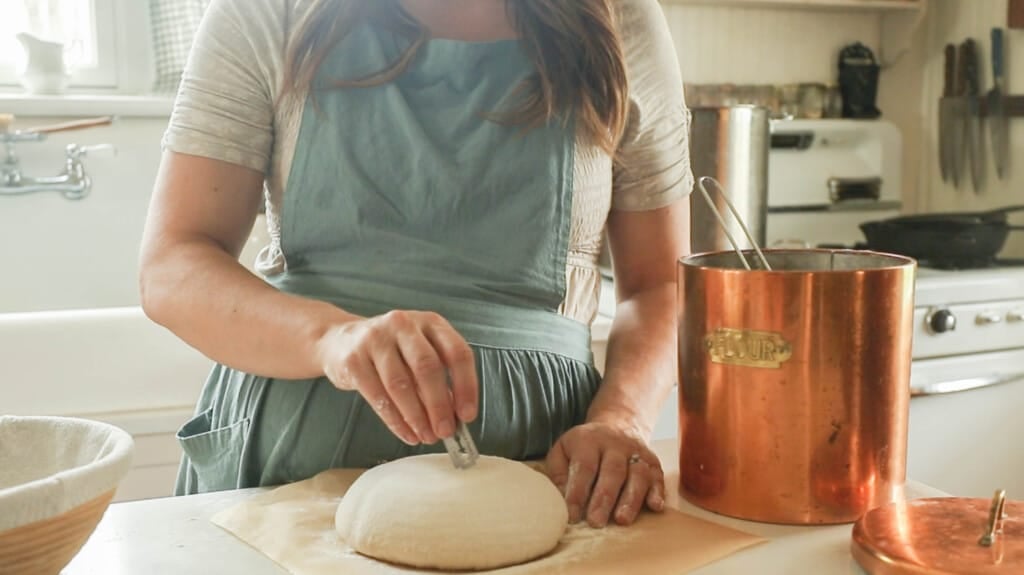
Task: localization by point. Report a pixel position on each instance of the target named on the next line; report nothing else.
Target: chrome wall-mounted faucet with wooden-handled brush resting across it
(72, 183)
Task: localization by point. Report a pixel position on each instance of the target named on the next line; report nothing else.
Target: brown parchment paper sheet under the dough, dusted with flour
(294, 526)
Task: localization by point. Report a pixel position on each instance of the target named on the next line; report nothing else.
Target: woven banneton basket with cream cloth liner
(58, 477)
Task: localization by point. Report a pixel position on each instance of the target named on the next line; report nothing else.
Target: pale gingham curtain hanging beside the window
(175, 26)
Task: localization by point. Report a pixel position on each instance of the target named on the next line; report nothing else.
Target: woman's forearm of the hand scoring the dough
(208, 299)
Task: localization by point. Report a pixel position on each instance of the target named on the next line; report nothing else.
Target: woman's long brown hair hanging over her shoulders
(574, 45)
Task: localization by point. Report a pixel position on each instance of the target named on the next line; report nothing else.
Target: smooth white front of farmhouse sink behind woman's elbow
(89, 362)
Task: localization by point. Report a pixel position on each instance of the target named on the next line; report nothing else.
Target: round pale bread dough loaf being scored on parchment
(422, 512)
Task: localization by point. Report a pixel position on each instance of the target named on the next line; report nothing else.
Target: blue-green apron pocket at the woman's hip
(216, 455)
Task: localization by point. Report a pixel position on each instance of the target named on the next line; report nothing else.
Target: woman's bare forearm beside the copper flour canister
(641, 366)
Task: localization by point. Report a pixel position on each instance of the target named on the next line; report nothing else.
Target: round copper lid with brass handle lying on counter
(943, 537)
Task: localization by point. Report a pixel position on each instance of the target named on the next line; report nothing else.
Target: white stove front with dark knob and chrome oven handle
(967, 415)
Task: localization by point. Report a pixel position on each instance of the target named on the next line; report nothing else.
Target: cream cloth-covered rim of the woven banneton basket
(58, 494)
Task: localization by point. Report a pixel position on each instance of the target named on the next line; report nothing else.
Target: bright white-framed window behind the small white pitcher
(88, 28)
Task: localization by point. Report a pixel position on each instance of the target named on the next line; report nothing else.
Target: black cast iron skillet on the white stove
(950, 240)
